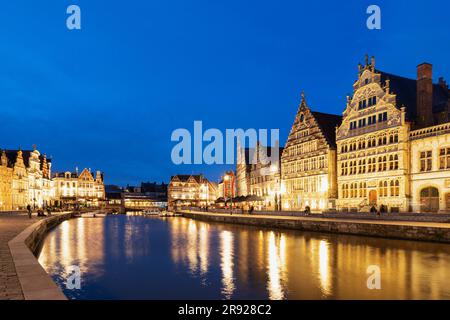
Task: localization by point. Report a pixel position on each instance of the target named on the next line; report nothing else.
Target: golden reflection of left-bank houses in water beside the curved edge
(76, 242)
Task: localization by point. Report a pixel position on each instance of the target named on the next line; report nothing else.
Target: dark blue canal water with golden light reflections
(134, 257)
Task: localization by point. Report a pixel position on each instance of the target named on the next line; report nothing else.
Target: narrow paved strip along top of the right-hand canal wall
(318, 218)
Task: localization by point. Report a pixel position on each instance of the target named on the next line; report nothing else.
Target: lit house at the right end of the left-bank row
(72, 188)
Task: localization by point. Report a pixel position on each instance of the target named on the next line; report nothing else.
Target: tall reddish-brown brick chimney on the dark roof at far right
(424, 95)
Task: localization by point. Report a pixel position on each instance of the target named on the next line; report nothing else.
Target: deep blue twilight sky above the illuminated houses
(110, 95)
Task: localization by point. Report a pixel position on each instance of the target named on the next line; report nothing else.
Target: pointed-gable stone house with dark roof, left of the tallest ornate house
(308, 162)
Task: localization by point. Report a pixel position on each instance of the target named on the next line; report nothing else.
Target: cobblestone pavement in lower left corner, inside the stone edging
(10, 226)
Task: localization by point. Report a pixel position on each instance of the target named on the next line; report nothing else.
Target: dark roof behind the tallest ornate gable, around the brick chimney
(405, 90)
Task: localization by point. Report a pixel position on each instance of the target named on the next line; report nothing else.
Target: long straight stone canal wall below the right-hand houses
(406, 230)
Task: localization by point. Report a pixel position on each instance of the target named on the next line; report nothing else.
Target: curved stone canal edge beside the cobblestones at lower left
(35, 283)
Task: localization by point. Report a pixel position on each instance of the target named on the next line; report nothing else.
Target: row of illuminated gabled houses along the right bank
(389, 150)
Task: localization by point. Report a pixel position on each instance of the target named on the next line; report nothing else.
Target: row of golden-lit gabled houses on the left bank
(26, 178)
